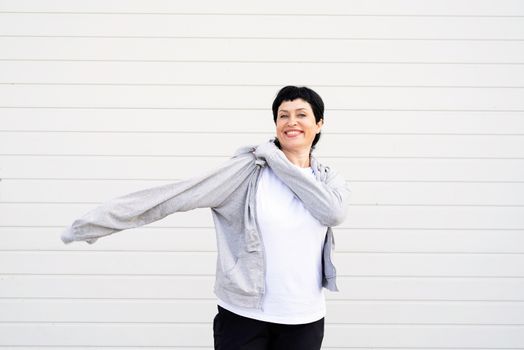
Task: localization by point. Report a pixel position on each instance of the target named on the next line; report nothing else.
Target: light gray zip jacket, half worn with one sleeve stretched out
(230, 192)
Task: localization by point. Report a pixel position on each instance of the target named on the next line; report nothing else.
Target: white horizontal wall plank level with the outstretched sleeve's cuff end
(347, 240)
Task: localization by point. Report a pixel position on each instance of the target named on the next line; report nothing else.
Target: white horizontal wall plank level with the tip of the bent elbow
(373, 216)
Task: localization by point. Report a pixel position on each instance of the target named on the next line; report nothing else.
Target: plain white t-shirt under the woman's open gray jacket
(293, 241)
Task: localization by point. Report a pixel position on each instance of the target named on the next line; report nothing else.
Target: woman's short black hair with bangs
(291, 93)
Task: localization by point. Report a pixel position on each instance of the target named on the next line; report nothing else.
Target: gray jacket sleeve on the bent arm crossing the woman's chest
(325, 196)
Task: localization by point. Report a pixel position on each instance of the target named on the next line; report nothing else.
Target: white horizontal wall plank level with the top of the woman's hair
(258, 97)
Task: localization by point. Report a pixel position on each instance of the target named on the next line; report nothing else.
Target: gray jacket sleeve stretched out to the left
(149, 205)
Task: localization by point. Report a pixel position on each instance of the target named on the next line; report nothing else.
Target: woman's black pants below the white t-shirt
(234, 332)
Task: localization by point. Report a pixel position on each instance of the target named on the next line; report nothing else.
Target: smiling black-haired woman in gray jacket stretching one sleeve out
(273, 207)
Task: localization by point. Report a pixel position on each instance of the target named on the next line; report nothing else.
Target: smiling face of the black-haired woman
(296, 126)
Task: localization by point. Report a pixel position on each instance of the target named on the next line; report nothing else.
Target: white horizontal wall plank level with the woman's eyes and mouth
(258, 121)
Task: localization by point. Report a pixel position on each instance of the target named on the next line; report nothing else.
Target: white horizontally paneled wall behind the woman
(425, 117)
